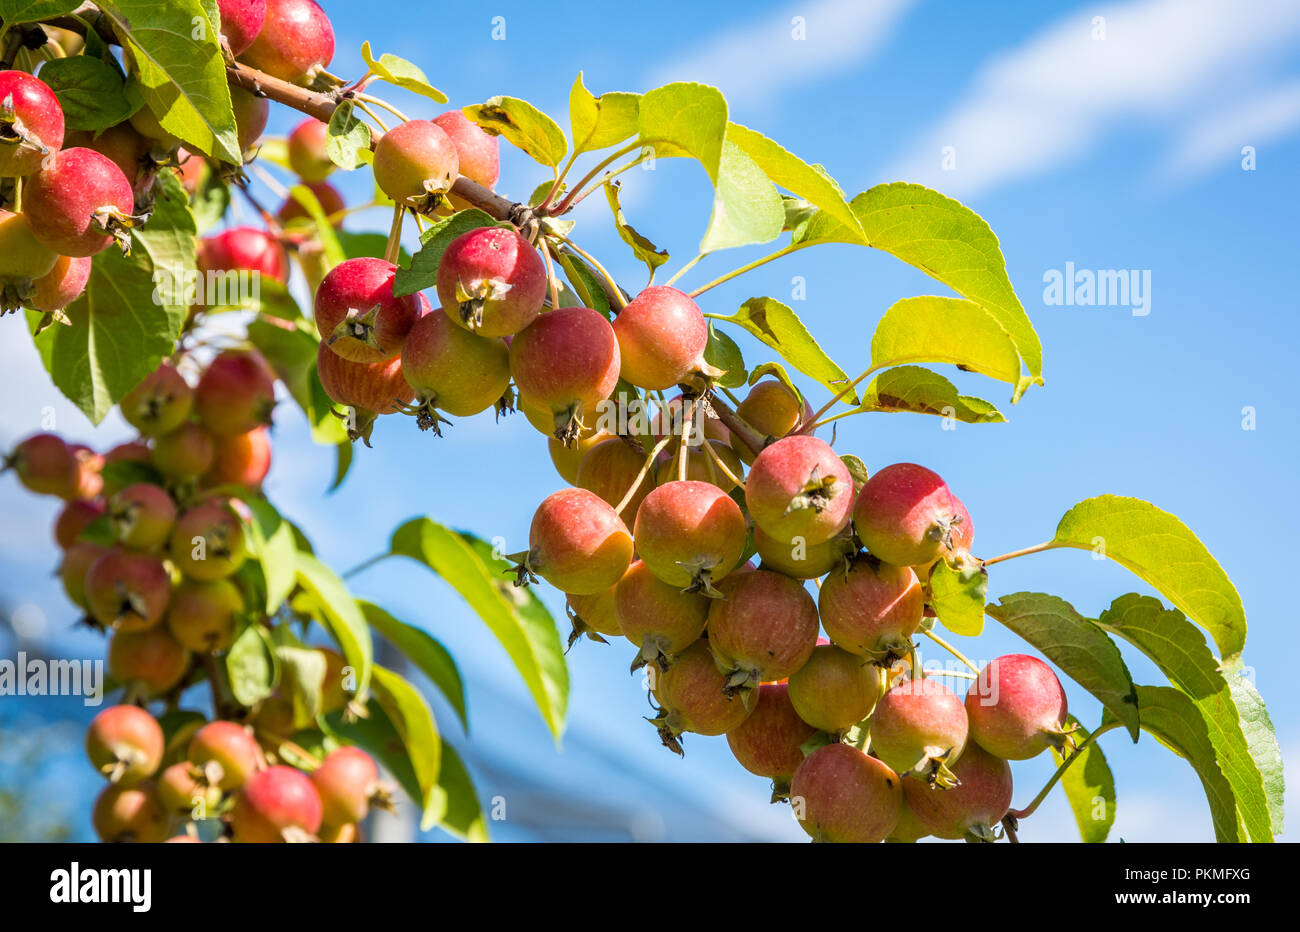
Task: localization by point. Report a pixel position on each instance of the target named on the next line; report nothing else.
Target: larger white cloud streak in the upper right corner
(1048, 102)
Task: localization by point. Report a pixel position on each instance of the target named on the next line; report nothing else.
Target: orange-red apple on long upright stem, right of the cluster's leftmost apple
(691, 535)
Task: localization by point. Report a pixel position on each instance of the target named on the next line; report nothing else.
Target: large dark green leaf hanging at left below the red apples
(132, 313)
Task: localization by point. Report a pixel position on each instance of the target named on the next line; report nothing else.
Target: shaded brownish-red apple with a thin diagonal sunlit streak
(872, 609)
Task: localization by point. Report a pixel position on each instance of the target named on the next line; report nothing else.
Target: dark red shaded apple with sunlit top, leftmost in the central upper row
(357, 314)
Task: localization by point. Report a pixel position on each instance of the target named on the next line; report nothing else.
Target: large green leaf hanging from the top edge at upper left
(176, 59)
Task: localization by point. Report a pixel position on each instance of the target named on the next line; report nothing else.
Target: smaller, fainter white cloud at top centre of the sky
(755, 62)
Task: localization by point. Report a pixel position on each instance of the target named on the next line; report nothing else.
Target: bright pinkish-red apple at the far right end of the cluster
(1017, 708)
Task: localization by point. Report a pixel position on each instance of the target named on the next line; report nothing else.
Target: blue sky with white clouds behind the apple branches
(1111, 145)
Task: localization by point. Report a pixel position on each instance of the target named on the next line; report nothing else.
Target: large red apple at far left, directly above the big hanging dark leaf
(79, 203)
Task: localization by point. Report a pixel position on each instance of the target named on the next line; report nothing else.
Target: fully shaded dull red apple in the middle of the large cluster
(762, 630)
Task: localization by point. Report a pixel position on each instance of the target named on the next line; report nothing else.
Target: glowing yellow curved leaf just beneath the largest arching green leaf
(931, 330)
